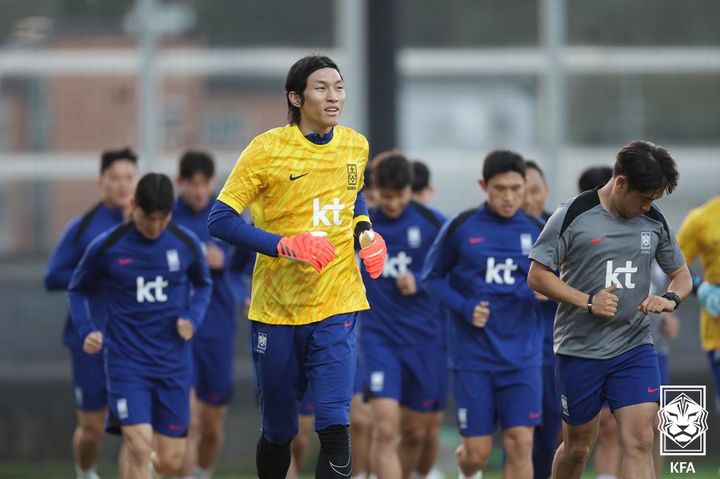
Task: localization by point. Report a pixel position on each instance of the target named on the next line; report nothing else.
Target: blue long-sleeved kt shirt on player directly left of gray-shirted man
(482, 256)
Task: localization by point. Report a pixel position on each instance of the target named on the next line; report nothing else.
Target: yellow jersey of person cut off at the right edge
(699, 237)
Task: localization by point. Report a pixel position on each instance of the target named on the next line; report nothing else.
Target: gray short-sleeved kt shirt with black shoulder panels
(593, 249)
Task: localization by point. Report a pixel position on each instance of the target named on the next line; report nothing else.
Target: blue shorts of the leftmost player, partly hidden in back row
(88, 380)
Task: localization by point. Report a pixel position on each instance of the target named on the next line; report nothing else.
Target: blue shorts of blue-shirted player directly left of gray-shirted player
(484, 399)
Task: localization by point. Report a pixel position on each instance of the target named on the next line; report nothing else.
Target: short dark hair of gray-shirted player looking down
(647, 167)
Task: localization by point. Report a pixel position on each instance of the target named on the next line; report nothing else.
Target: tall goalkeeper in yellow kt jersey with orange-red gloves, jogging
(301, 183)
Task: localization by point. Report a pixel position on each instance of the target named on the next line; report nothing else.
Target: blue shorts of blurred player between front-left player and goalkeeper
(213, 369)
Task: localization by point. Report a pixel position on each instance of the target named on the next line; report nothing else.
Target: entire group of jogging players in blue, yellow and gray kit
(370, 309)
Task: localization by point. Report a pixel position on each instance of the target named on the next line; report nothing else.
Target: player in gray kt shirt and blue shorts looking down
(603, 242)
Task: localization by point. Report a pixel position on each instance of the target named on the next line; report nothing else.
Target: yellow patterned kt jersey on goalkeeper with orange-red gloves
(291, 186)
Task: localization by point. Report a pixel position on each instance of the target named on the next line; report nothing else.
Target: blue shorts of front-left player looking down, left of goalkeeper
(163, 402)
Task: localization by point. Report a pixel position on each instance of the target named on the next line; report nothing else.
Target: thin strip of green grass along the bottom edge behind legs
(64, 471)
